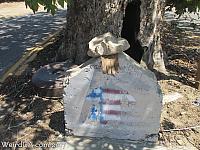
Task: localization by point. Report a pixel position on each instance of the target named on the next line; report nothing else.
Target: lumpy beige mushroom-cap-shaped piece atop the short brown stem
(107, 44)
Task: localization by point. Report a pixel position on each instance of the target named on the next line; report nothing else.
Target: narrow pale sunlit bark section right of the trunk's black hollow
(151, 22)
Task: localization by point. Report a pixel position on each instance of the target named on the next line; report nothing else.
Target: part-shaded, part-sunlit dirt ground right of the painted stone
(183, 50)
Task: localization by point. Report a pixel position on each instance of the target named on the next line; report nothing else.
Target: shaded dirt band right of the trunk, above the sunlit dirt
(182, 52)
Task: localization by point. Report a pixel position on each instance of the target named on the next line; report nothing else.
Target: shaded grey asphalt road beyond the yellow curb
(19, 33)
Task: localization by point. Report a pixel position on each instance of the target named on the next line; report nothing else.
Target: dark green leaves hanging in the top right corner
(183, 5)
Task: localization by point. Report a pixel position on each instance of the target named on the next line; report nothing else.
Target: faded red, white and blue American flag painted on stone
(109, 104)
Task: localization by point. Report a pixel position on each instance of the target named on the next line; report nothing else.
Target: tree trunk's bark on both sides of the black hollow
(89, 18)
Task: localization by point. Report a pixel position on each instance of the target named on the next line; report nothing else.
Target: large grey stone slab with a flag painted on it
(124, 106)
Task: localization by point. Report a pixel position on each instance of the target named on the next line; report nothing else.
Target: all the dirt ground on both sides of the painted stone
(24, 116)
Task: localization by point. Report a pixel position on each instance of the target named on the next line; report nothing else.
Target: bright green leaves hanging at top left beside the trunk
(49, 5)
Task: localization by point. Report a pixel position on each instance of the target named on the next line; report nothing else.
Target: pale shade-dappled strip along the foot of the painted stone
(78, 143)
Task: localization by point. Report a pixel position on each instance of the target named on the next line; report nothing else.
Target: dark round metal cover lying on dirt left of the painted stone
(49, 79)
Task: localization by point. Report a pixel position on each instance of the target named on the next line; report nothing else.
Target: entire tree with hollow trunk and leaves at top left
(139, 21)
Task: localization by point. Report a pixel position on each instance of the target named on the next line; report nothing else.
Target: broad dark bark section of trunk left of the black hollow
(87, 19)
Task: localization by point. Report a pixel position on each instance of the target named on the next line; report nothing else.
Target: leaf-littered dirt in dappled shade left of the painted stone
(24, 116)
